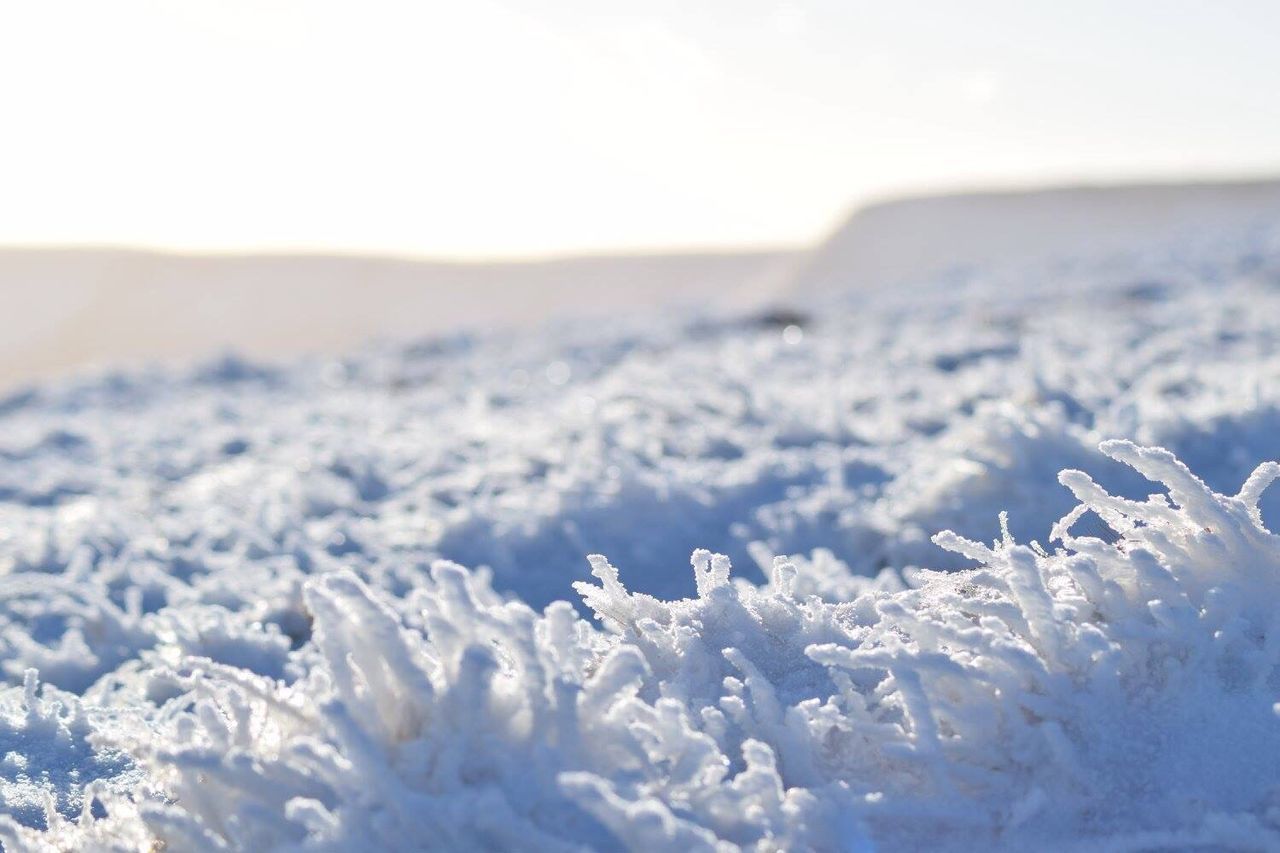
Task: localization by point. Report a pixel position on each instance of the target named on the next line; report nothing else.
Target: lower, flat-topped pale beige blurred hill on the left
(75, 308)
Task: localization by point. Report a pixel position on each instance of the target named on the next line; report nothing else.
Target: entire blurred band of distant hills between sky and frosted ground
(72, 308)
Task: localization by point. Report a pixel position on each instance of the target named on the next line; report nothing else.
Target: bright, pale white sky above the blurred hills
(510, 129)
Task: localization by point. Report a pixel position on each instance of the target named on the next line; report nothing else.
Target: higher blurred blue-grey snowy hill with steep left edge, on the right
(908, 240)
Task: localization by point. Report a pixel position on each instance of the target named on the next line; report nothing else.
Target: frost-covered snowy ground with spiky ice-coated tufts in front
(243, 586)
